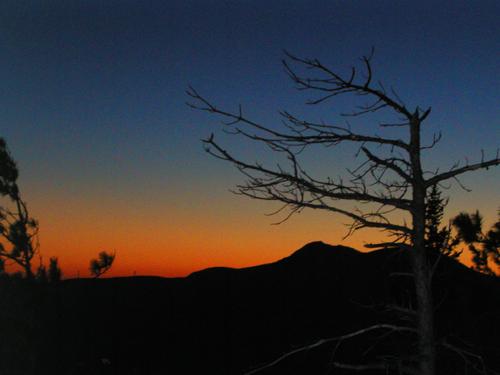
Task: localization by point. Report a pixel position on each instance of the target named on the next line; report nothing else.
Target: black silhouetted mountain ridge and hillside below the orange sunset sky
(228, 321)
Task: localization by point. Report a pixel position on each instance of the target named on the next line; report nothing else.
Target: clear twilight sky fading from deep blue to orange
(93, 108)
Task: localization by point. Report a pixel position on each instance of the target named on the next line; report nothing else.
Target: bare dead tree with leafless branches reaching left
(389, 178)
